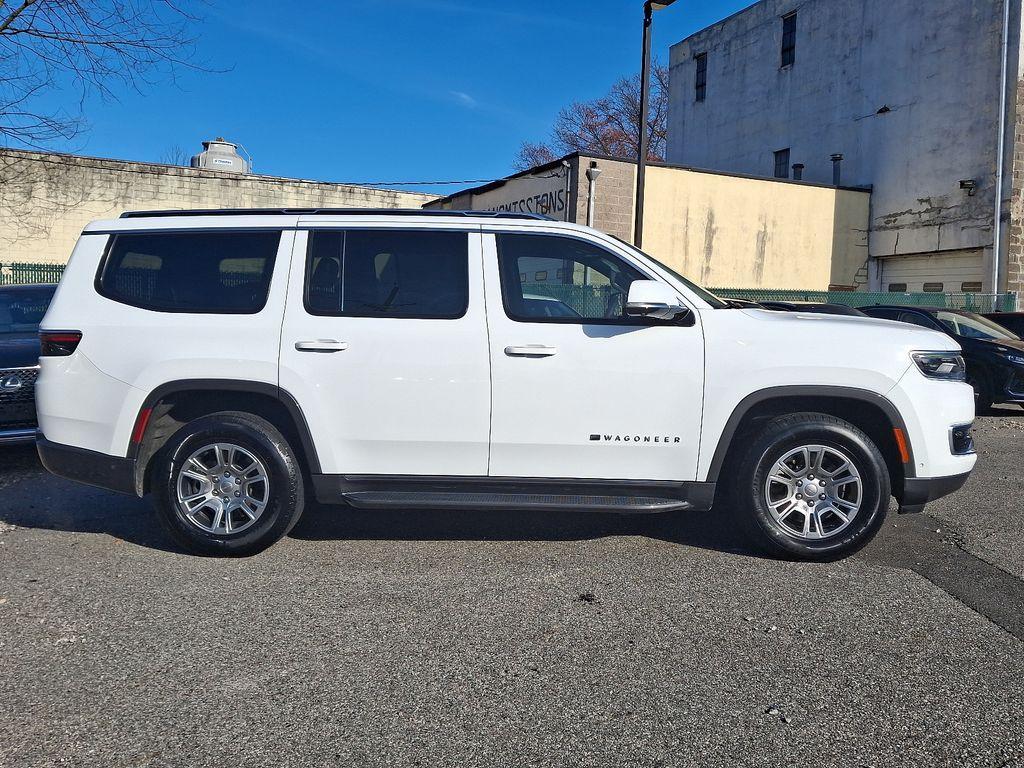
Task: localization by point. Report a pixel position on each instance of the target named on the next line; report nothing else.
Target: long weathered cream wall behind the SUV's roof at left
(46, 200)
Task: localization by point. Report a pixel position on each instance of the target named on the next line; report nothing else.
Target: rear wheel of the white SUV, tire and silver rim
(229, 485)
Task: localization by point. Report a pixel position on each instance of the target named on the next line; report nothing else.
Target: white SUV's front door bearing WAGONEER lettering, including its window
(605, 396)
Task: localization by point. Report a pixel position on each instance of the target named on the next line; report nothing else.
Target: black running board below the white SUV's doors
(624, 497)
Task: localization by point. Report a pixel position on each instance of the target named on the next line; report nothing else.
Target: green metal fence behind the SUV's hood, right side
(975, 303)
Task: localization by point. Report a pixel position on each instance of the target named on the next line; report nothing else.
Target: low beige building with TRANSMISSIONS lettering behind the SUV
(722, 231)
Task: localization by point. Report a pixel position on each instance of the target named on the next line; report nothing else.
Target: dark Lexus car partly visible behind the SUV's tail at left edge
(22, 309)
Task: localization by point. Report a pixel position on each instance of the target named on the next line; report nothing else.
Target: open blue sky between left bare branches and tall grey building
(378, 91)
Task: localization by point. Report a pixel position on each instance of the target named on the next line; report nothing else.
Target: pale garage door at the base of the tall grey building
(959, 272)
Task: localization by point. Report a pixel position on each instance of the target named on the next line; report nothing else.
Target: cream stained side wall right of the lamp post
(728, 232)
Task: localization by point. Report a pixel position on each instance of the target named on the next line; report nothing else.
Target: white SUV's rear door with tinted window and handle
(386, 348)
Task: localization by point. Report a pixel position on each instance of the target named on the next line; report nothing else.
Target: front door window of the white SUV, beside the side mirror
(564, 280)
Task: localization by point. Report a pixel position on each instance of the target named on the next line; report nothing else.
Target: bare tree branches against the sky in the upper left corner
(88, 48)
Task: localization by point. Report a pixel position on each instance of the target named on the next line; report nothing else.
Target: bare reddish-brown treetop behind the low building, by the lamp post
(610, 125)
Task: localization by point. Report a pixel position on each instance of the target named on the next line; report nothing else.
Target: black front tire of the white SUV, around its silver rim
(788, 434)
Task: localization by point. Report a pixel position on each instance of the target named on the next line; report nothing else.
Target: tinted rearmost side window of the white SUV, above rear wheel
(209, 273)
